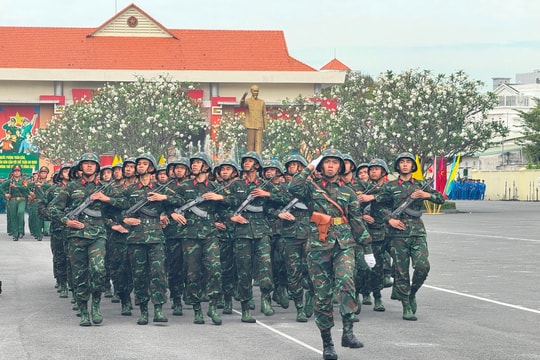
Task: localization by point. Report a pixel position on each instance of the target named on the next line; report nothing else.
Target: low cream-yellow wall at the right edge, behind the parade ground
(521, 185)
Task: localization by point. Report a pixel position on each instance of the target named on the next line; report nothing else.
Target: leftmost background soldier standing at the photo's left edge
(15, 190)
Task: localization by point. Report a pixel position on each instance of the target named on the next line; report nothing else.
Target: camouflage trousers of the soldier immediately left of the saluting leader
(295, 264)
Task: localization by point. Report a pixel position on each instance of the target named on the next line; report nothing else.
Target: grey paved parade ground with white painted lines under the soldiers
(480, 301)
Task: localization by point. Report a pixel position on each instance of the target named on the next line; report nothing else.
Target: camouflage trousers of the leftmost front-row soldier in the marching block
(87, 259)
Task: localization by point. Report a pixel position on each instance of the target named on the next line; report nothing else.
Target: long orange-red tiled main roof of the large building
(73, 48)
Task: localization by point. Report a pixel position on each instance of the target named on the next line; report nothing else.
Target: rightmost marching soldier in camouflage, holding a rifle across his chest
(406, 232)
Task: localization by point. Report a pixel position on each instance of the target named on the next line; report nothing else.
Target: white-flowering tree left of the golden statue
(125, 119)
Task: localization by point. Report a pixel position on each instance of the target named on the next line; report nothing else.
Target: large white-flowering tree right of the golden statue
(429, 115)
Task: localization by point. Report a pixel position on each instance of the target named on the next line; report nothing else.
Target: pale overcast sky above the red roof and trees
(485, 38)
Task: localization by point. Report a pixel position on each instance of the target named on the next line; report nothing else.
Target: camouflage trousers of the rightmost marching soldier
(408, 251)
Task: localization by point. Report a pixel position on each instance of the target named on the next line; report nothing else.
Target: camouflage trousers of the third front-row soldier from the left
(203, 269)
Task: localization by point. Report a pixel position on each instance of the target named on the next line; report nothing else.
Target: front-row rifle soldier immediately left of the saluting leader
(295, 232)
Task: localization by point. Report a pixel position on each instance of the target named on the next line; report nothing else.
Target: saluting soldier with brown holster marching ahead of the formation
(331, 256)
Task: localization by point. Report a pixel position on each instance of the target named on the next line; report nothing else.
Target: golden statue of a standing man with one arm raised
(255, 120)
